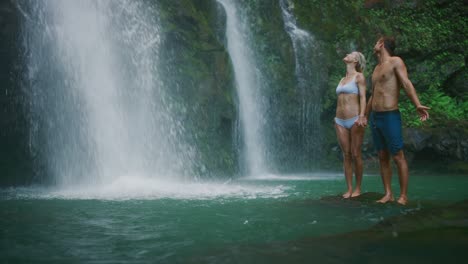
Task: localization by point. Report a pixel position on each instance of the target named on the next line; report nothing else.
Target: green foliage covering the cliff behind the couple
(431, 38)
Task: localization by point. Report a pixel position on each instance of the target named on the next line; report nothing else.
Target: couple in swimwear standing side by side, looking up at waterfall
(352, 113)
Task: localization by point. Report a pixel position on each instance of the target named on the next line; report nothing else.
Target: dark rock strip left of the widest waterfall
(15, 159)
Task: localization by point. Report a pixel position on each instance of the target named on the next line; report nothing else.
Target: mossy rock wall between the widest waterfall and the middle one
(192, 45)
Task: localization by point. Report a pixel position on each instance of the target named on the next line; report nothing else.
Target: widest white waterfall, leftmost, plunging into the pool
(97, 107)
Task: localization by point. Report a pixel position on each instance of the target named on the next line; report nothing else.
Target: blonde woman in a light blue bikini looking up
(350, 120)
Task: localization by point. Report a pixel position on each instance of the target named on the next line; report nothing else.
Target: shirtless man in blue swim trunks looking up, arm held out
(388, 77)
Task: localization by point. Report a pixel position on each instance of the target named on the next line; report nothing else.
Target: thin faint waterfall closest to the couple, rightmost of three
(308, 72)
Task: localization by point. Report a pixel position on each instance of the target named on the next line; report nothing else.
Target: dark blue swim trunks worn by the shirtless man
(386, 131)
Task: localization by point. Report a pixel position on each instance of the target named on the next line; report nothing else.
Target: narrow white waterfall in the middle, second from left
(247, 82)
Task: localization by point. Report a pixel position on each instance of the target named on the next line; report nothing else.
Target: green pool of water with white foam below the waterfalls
(145, 221)
